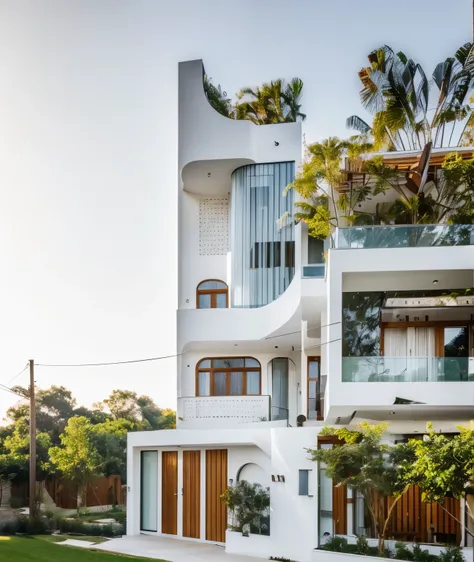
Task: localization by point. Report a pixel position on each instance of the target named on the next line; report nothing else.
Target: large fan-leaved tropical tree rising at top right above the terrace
(396, 91)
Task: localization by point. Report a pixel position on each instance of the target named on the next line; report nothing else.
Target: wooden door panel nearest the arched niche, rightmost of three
(216, 483)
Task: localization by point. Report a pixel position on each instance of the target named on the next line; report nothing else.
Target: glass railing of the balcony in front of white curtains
(407, 369)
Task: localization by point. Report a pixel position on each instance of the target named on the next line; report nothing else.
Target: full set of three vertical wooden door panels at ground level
(216, 483)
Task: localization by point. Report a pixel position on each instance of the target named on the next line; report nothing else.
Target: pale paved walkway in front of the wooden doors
(174, 550)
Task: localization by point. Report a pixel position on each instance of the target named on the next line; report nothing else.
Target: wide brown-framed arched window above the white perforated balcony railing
(228, 376)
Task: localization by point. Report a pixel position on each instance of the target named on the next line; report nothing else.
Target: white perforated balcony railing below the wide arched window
(239, 408)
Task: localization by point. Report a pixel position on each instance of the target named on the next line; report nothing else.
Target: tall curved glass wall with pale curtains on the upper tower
(262, 233)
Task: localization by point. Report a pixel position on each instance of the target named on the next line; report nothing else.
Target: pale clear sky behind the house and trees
(88, 156)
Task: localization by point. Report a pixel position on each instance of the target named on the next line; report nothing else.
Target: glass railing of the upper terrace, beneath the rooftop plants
(406, 236)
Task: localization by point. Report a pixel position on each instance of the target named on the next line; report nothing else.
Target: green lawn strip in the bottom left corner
(35, 549)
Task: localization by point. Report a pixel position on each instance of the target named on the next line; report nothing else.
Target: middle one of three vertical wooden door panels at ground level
(192, 494)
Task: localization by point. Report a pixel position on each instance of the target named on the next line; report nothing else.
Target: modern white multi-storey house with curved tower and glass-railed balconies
(276, 339)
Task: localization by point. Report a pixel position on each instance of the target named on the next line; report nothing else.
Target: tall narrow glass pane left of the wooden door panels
(149, 491)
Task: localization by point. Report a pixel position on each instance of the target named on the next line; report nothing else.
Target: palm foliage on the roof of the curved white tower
(272, 102)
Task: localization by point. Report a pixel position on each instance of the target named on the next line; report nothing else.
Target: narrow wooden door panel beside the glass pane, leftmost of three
(169, 493)
